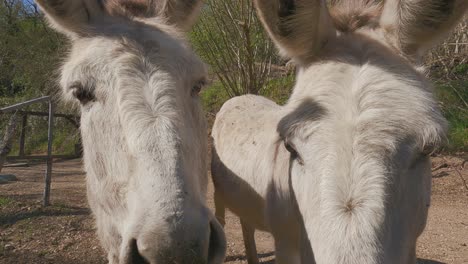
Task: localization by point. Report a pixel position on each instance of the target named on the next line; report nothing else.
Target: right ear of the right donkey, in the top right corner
(415, 26)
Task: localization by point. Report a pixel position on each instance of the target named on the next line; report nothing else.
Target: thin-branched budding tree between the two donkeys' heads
(232, 41)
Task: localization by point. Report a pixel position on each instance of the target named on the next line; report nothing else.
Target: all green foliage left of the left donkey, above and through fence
(30, 54)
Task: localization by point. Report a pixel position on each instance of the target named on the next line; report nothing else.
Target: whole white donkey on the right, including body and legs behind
(341, 174)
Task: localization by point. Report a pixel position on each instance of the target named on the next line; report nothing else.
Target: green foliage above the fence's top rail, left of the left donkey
(29, 53)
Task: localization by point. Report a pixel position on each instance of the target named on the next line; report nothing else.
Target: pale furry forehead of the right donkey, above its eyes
(365, 97)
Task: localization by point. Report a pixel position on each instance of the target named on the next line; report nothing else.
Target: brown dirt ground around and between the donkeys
(64, 232)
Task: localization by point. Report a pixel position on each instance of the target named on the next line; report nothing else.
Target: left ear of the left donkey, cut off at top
(72, 17)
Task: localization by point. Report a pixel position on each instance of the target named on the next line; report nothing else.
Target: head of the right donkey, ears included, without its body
(361, 121)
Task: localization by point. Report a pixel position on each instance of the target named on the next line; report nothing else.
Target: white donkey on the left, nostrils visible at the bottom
(142, 125)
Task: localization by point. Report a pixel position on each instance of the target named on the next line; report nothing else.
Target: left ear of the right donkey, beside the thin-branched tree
(299, 28)
